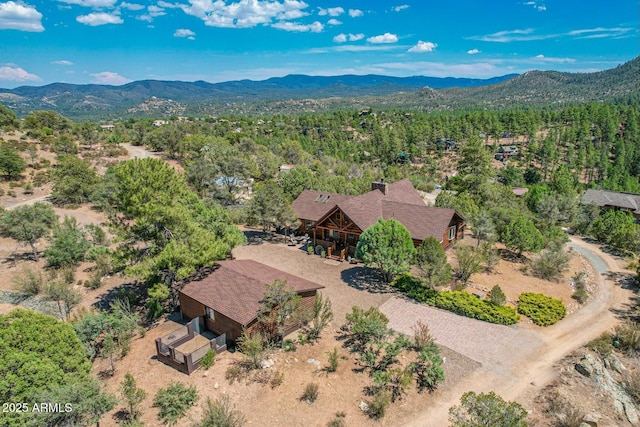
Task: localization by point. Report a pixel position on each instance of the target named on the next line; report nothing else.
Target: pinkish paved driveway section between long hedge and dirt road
(486, 343)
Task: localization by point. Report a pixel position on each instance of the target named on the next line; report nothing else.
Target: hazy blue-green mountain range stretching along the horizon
(302, 93)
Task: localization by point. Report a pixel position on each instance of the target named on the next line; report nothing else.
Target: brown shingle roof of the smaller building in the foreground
(236, 289)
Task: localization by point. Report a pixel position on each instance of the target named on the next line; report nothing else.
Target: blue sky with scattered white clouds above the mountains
(115, 41)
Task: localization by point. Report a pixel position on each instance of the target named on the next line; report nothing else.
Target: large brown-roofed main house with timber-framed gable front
(336, 220)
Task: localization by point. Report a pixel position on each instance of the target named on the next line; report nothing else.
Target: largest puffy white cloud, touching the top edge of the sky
(247, 13)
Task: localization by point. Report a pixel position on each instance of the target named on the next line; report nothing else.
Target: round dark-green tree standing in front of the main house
(386, 245)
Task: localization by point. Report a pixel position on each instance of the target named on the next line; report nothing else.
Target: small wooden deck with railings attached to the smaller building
(183, 349)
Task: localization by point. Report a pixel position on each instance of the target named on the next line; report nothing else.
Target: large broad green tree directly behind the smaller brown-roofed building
(165, 230)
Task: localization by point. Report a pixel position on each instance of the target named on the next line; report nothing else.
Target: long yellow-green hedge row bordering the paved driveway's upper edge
(462, 303)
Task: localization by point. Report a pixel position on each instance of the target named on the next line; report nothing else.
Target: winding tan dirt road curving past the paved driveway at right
(532, 371)
